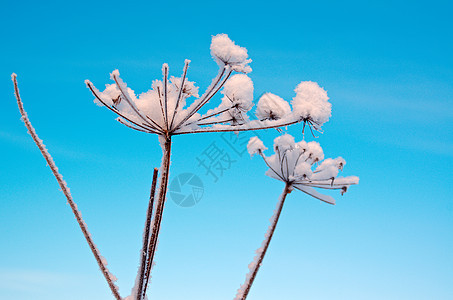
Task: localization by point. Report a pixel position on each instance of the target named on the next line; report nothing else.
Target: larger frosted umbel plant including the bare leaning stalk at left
(173, 107)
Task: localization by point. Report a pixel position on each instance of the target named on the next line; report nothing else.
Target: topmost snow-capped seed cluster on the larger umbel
(226, 52)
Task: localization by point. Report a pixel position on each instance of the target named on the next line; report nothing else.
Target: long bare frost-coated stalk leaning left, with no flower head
(110, 278)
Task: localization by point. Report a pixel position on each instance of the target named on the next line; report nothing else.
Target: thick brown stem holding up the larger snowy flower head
(166, 149)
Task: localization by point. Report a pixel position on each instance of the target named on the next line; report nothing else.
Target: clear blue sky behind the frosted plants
(388, 69)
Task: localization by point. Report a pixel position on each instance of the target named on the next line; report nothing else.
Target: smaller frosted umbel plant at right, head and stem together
(300, 166)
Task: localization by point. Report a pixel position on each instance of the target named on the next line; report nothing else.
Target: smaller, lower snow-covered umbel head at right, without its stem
(302, 166)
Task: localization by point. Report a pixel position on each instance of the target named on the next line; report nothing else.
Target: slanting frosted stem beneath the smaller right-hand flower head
(245, 288)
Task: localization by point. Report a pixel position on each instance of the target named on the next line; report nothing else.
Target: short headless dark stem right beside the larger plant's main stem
(144, 252)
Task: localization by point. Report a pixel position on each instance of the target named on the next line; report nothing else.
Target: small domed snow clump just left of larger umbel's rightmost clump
(272, 107)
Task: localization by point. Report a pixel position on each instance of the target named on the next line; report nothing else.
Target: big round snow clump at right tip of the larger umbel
(311, 103)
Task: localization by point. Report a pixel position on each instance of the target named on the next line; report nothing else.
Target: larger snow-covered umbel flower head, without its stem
(173, 106)
